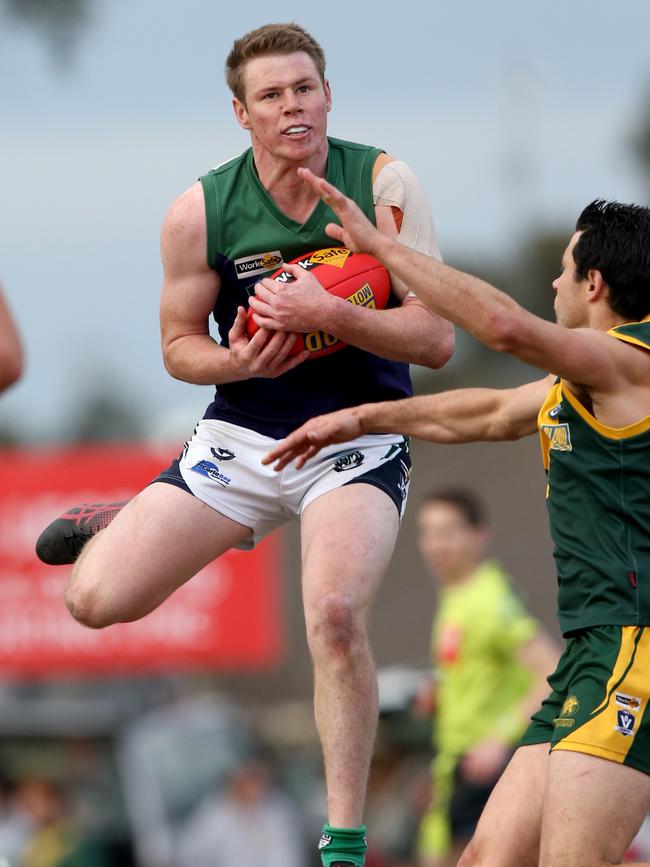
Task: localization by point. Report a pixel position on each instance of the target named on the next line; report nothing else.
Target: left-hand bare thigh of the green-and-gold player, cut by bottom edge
(508, 832)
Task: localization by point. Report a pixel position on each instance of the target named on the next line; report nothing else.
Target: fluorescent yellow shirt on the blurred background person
(479, 629)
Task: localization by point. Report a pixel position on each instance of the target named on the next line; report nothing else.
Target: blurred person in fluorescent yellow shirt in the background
(490, 659)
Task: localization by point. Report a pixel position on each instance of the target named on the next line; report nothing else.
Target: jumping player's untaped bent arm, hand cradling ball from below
(190, 289)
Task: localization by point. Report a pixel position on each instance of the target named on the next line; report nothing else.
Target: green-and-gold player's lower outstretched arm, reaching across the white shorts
(459, 416)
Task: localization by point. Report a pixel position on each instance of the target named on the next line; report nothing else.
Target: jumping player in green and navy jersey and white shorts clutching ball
(219, 237)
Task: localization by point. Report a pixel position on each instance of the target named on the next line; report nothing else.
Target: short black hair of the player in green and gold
(615, 240)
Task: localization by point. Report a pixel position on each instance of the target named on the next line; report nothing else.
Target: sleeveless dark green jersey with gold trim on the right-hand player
(598, 499)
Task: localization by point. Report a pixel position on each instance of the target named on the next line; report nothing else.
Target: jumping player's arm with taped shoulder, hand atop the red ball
(410, 333)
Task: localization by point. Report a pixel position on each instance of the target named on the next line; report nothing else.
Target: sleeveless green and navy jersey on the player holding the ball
(248, 238)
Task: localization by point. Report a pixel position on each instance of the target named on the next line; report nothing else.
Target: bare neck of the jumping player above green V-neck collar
(280, 180)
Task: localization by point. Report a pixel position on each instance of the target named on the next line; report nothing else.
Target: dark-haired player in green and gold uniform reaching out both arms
(582, 801)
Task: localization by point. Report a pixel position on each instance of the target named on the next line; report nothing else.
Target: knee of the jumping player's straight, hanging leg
(334, 626)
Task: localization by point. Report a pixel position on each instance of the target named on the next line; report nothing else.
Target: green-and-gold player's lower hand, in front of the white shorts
(308, 440)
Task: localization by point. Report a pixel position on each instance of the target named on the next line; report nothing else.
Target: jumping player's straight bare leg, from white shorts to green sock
(348, 536)
